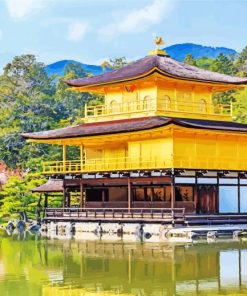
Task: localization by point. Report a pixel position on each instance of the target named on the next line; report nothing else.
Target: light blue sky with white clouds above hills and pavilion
(91, 31)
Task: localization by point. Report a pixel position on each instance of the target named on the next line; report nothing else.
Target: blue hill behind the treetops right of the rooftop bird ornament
(179, 51)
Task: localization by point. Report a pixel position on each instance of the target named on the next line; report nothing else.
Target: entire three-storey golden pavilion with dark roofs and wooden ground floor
(158, 143)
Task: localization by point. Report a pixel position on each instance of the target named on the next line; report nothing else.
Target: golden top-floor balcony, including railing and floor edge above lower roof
(180, 108)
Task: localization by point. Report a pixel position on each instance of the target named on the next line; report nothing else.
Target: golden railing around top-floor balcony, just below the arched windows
(162, 106)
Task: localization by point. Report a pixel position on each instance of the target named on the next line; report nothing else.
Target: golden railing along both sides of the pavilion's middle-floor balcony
(127, 163)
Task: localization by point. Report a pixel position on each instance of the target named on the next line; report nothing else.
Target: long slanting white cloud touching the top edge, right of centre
(138, 20)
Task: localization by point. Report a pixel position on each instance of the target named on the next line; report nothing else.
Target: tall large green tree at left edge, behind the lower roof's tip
(28, 91)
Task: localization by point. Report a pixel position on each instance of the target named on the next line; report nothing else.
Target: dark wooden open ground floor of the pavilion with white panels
(203, 194)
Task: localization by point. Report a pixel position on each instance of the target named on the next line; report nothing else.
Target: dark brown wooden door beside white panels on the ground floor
(207, 199)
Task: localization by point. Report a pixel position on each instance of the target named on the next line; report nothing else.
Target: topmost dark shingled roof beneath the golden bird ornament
(165, 64)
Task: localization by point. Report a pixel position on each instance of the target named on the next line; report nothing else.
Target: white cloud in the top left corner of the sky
(20, 9)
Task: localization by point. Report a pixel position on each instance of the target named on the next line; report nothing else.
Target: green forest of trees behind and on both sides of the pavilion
(30, 101)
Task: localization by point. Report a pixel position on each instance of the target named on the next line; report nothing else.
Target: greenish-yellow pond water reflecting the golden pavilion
(52, 267)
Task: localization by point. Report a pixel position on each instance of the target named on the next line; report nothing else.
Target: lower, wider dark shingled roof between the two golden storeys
(131, 125)
